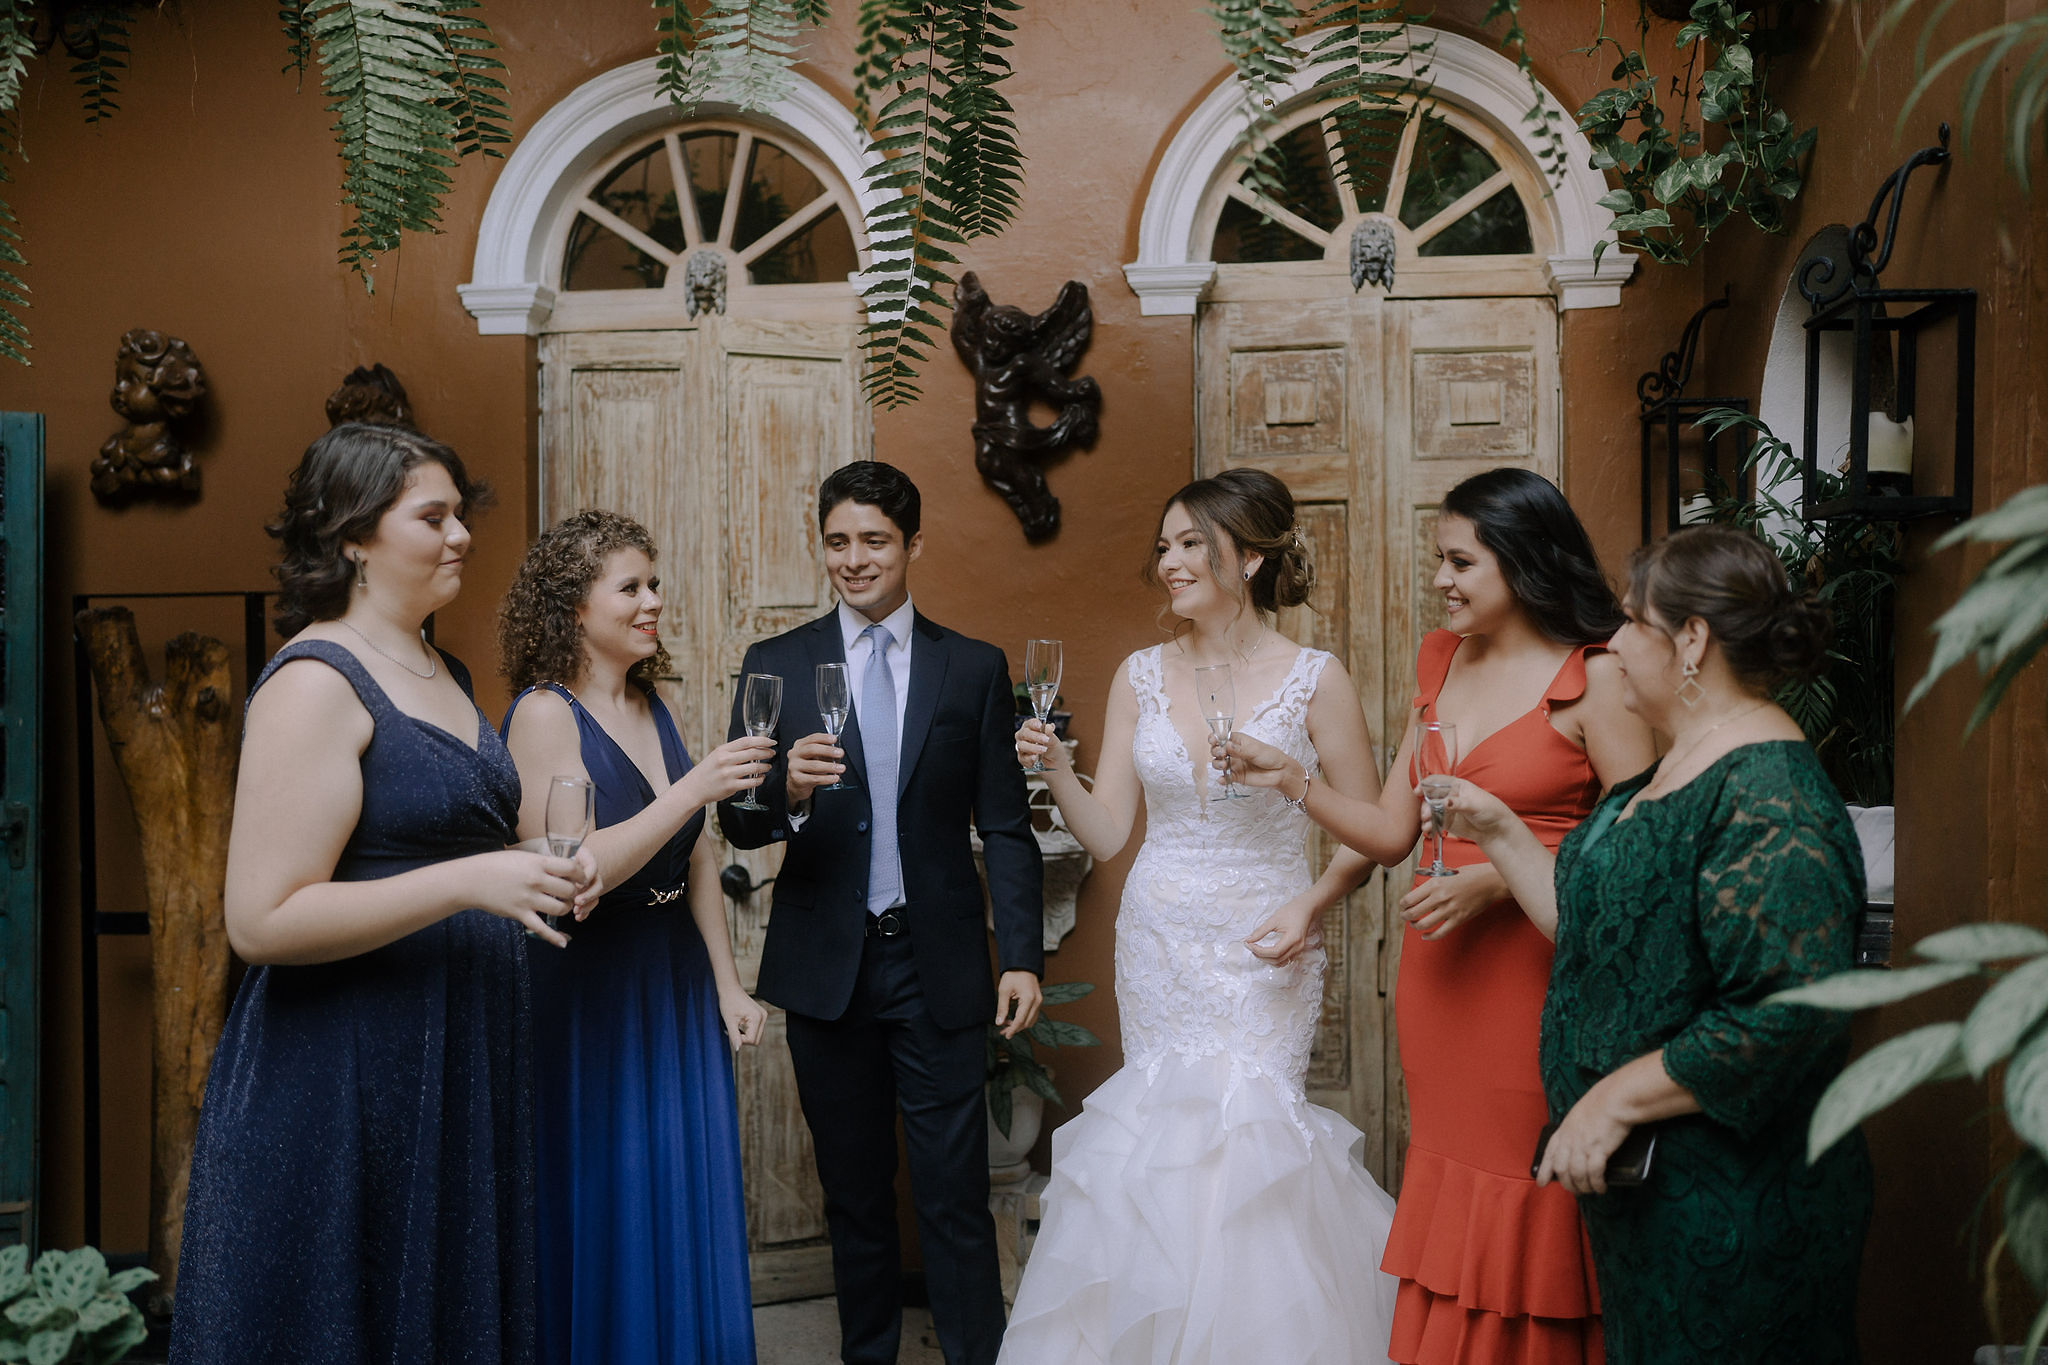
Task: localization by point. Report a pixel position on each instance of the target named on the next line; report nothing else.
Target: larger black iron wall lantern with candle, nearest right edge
(1897, 343)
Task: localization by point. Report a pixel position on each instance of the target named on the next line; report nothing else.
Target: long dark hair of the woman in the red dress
(1543, 552)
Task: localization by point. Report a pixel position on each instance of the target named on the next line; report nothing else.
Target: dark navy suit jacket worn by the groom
(957, 766)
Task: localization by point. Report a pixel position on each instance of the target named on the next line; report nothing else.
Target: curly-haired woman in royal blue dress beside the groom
(642, 1217)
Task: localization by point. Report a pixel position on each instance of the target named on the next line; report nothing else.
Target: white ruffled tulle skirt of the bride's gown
(1203, 1219)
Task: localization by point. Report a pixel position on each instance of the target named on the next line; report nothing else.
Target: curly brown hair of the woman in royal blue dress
(540, 637)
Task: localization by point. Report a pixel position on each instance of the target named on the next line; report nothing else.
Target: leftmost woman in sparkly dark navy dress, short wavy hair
(364, 1174)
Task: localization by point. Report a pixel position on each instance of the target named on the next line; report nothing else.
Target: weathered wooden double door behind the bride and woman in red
(1371, 410)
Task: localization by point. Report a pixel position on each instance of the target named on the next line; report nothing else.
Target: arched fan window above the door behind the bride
(1449, 187)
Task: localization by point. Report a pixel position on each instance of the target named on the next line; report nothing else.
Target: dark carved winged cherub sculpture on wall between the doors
(1017, 359)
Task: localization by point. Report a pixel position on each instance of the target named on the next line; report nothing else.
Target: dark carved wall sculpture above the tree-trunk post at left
(157, 384)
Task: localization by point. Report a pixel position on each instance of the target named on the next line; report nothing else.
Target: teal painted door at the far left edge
(22, 813)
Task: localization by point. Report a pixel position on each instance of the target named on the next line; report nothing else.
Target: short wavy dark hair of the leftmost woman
(339, 492)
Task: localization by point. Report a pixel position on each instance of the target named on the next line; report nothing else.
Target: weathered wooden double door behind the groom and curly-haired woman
(716, 439)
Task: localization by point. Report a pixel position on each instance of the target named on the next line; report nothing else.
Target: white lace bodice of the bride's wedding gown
(1213, 871)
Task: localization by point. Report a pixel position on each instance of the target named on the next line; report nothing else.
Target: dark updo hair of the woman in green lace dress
(1732, 580)
